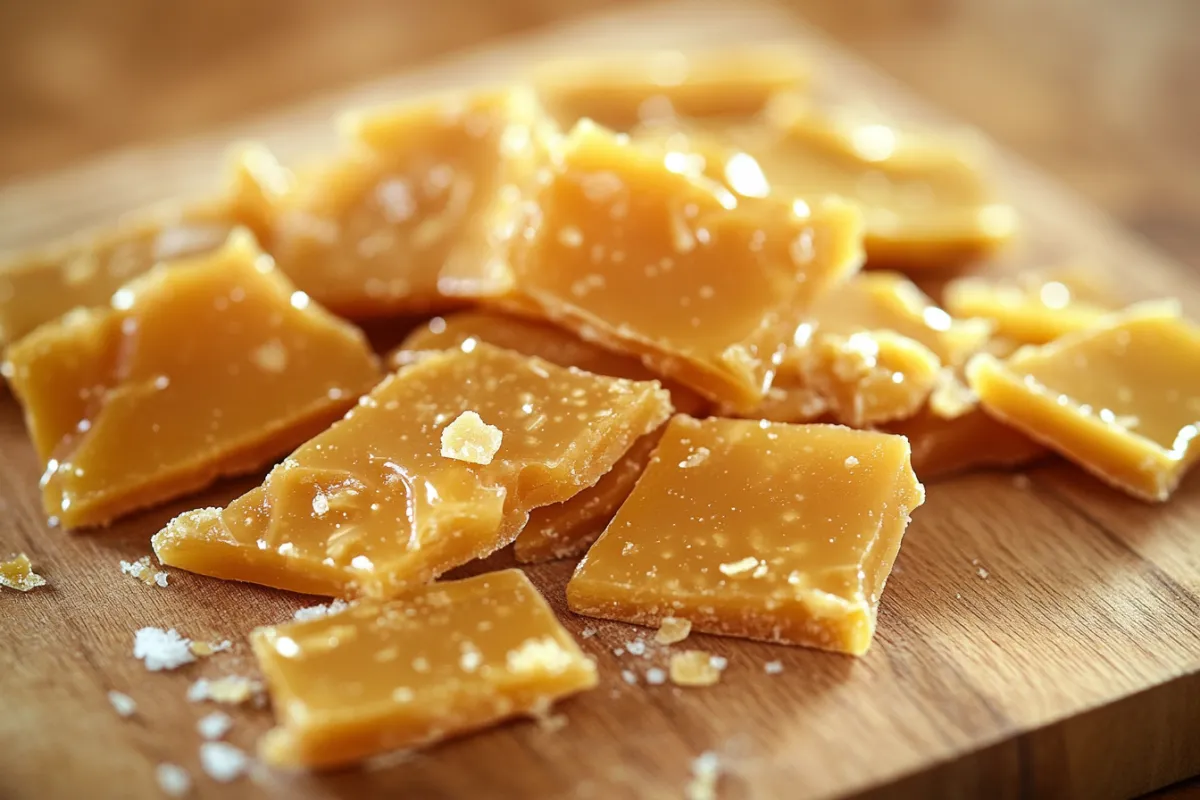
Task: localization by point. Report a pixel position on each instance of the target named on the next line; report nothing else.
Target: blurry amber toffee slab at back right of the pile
(925, 197)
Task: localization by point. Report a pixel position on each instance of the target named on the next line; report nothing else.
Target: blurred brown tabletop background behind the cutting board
(1103, 94)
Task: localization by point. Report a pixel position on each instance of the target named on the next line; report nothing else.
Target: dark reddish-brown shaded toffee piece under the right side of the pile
(974, 440)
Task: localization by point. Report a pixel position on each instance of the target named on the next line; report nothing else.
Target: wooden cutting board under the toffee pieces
(1036, 639)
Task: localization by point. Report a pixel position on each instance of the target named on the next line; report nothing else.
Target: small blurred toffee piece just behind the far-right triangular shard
(1031, 309)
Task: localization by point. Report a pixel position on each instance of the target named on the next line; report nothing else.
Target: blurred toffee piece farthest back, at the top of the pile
(626, 89)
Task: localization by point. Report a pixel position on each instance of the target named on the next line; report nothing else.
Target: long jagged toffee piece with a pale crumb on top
(373, 507)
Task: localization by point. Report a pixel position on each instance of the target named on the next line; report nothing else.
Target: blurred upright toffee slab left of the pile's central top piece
(417, 210)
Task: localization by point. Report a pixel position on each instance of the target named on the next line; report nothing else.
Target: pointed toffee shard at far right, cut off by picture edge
(1121, 399)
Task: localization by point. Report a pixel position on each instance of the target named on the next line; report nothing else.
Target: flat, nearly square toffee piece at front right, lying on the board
(784, 533)
